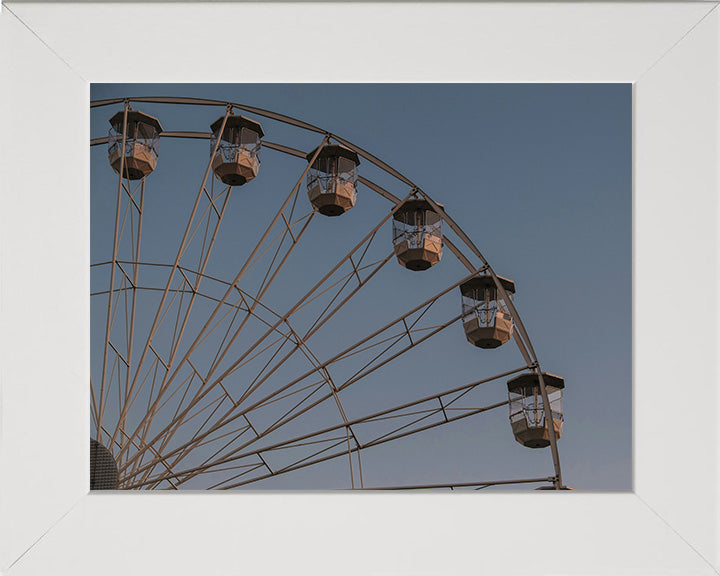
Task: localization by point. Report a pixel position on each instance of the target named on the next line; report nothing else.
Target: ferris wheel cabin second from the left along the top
(237, 159)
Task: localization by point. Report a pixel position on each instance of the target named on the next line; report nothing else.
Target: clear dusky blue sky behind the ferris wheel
(539, 177)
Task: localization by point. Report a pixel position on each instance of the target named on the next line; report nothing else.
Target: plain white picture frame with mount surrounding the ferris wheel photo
(50, 524)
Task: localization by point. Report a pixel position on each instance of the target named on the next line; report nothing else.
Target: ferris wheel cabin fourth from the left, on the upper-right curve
(417, 235)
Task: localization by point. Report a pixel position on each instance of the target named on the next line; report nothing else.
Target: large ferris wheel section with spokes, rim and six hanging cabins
(244, 327)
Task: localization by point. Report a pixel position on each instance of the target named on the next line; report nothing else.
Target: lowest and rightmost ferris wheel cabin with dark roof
(527, 413)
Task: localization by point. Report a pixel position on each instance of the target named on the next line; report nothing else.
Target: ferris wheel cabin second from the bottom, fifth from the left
(486, 317)
